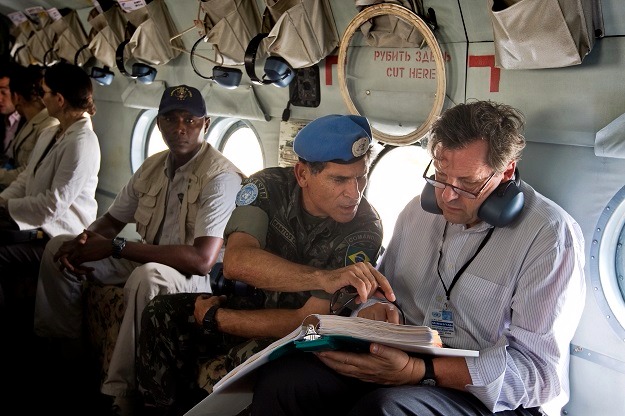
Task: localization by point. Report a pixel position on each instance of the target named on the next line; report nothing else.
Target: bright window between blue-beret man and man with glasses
(394, 180)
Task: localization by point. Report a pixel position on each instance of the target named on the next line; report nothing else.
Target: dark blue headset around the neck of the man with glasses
(499, 209)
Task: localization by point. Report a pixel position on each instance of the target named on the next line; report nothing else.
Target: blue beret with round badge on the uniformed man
(333, 138)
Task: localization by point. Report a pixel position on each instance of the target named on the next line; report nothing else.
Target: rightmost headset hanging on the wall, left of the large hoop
(277, 70)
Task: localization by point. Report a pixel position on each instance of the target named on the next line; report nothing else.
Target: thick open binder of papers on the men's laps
(234, 392)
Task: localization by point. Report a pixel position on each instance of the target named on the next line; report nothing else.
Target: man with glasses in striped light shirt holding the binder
(515, 292)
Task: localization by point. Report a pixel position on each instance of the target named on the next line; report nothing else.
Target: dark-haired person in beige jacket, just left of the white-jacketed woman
(27, 96)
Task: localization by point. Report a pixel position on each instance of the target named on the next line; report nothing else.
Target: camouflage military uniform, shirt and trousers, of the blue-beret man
(172, 345)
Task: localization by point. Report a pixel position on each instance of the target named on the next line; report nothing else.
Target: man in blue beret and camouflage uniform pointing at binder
(298, 234)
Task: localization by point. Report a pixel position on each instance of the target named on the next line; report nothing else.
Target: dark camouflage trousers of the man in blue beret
(173, 347)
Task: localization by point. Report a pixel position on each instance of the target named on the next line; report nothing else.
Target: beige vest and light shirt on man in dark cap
(175, 207)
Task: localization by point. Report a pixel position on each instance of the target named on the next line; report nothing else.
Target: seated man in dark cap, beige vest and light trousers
(180, 199)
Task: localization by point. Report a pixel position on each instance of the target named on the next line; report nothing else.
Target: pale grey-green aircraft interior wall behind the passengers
(564, 107)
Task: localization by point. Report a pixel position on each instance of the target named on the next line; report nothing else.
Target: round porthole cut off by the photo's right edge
(607, 263)
